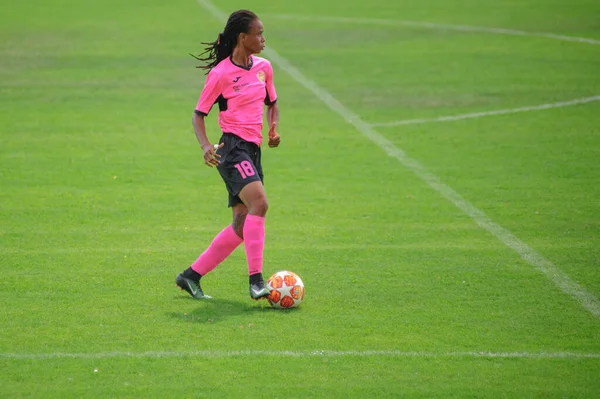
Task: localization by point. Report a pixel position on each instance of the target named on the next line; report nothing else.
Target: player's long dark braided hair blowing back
(215, 52)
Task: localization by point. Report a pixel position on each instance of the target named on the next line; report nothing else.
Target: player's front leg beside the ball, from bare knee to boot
(254, 197)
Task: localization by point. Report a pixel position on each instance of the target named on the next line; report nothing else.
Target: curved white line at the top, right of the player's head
(430, 25)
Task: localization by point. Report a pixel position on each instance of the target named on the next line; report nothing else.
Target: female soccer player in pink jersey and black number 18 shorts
(240, 83)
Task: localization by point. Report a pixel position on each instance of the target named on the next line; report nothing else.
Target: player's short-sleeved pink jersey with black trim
(241, 93)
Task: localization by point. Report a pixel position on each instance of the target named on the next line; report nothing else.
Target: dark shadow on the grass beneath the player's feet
(218, 309)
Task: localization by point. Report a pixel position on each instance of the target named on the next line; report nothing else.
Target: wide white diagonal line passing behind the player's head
(587, 300)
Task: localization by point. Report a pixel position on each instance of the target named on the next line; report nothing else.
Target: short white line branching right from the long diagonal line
(488, 113)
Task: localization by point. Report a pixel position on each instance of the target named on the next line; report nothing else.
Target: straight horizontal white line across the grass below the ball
(301, 354)
